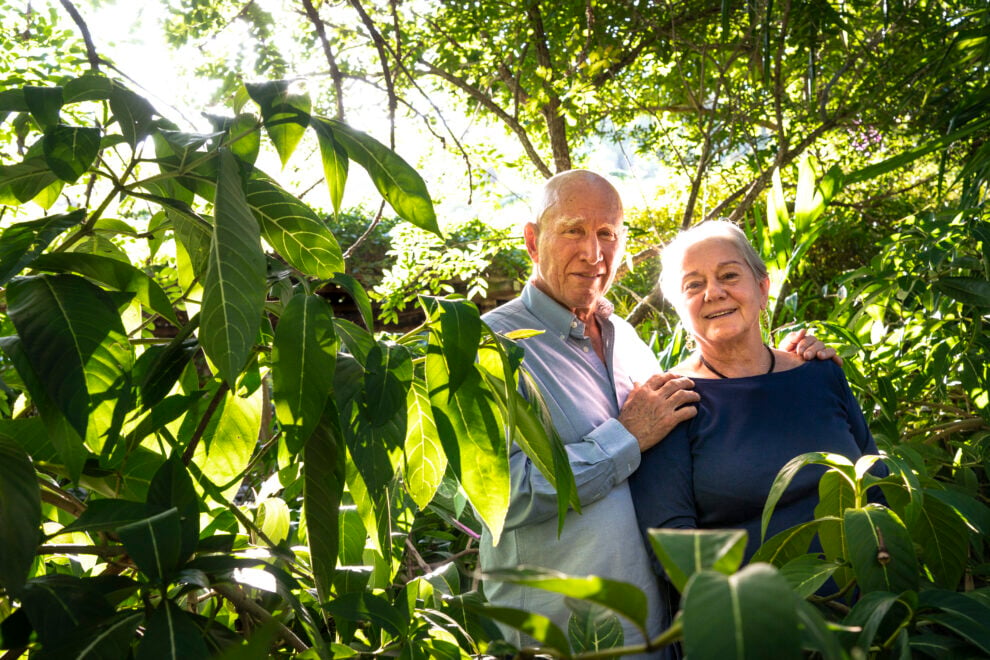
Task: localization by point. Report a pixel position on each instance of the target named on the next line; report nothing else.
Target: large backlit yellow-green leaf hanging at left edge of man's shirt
(473, 440)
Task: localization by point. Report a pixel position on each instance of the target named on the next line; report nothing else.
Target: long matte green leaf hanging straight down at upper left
(234, 287)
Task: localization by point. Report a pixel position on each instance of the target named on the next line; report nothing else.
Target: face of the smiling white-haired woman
(720, 297)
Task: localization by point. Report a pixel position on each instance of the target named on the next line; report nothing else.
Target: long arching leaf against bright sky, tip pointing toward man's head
(397, 182)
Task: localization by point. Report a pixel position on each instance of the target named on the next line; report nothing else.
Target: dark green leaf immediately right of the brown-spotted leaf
(943, 538)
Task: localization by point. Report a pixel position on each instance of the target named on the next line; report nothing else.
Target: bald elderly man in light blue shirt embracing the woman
(608, 401)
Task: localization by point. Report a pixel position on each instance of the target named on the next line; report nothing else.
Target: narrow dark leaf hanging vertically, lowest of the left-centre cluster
(323, 475)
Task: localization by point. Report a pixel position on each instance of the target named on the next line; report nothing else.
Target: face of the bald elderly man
(575, 249)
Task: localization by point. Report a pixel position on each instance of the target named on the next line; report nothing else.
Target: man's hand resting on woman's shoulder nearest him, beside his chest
(655, 407)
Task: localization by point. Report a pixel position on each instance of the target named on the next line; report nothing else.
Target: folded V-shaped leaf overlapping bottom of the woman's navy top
(684, 552)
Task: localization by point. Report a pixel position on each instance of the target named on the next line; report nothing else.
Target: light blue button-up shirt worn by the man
(584, 397)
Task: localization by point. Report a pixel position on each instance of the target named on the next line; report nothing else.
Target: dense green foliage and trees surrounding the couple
(200, 456)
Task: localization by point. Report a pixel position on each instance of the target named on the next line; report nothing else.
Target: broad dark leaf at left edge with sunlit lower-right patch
(72, 335)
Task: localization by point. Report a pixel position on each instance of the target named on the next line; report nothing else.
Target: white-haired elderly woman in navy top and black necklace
(759, 407)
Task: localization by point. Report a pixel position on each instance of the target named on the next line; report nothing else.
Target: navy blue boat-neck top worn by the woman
(715, 470)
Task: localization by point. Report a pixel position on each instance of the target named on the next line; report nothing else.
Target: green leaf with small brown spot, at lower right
(880, 550)
